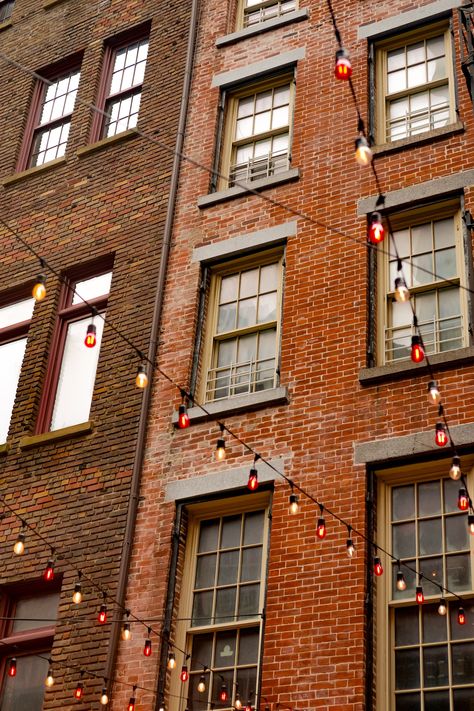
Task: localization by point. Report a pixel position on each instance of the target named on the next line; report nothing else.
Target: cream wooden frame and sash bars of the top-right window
(381, 95)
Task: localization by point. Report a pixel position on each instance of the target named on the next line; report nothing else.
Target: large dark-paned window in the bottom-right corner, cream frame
(430, 656)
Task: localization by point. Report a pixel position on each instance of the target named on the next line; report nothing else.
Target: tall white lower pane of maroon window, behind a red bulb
(77, 376)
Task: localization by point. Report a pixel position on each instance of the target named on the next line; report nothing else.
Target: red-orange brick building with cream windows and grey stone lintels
(282, 321)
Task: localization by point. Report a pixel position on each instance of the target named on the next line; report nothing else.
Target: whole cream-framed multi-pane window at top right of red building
(414, 84)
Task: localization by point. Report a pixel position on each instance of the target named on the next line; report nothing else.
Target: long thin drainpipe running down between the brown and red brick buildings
(153, 346)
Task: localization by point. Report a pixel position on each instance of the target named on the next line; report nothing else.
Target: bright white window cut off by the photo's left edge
(14, 323)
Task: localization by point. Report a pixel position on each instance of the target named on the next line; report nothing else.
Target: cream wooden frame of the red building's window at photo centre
(208, 358)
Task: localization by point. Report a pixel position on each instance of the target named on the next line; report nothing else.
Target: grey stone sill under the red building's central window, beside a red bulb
(235, 405)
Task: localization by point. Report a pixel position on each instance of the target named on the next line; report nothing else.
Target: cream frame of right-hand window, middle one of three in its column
(432, 212)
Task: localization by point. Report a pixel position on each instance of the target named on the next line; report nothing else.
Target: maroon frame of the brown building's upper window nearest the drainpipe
(110, 50)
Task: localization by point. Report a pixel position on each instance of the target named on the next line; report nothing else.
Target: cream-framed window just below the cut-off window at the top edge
(258, 131)
